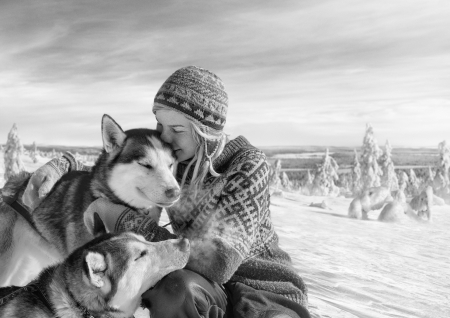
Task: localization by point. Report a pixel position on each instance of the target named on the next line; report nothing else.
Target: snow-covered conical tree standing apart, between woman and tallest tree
(325, 176)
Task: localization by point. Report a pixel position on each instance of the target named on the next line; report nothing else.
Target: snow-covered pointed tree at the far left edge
(13, 151)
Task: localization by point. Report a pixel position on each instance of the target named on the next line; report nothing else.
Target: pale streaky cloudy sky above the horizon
(301, 72)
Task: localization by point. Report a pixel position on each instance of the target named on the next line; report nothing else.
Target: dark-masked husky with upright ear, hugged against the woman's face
(135, 169)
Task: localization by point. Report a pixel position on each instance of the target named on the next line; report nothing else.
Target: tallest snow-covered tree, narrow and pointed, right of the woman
(370, 171)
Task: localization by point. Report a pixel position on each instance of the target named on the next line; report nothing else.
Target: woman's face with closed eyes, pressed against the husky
(176, 130)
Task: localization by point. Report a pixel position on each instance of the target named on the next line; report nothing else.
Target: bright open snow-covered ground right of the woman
(360, 268)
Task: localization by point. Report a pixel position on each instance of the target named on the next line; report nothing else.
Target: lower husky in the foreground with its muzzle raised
(104, 278)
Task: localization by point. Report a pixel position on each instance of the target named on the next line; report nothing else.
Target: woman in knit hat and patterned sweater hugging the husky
(236, 268)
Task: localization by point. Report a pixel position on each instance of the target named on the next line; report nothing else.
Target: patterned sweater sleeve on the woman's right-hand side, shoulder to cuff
(237, 219)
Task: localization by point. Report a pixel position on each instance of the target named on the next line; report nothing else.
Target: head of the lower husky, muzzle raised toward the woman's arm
(109, 274)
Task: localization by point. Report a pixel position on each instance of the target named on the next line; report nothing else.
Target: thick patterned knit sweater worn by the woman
(229, 225)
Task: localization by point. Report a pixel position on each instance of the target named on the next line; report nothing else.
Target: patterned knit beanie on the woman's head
(197, 93)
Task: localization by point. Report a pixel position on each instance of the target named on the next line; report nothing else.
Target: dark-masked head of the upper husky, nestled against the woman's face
(135, 168)
